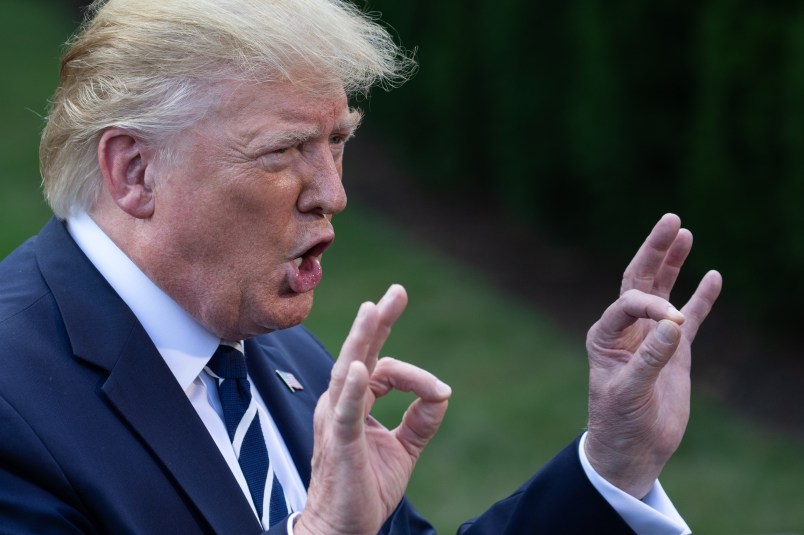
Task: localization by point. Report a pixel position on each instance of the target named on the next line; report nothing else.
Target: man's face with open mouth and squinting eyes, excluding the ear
(244, 207)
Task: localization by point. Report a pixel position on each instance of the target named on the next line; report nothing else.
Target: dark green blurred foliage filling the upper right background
(589, 119)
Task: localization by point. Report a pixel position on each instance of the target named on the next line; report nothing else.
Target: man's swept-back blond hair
(146, 66)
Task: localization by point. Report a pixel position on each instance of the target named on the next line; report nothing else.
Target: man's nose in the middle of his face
(323, 192)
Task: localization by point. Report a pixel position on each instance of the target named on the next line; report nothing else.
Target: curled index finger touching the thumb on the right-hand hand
(630, 307)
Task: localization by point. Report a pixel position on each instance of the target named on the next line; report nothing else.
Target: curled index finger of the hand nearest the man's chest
(392, 374)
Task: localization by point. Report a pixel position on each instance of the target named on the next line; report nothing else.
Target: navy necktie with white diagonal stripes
(228, 365)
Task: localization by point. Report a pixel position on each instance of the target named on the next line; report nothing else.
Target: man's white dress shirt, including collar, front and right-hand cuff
(186, 347)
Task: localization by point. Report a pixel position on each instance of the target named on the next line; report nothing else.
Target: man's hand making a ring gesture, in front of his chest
(360, 468)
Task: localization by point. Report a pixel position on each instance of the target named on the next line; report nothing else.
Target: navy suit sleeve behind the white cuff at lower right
(558, 499)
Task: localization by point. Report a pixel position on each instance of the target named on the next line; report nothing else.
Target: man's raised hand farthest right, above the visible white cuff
(639, 359)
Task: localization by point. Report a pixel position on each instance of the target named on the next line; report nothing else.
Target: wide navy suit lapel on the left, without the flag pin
(104, 332)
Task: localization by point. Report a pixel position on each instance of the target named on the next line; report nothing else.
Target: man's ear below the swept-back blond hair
(124, 161)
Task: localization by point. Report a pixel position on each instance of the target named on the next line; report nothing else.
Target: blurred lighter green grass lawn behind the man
(519, 382)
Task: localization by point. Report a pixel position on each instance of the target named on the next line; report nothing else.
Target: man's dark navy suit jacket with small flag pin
(96, 436)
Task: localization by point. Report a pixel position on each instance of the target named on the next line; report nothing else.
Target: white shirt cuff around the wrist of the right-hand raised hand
(655, 514)
